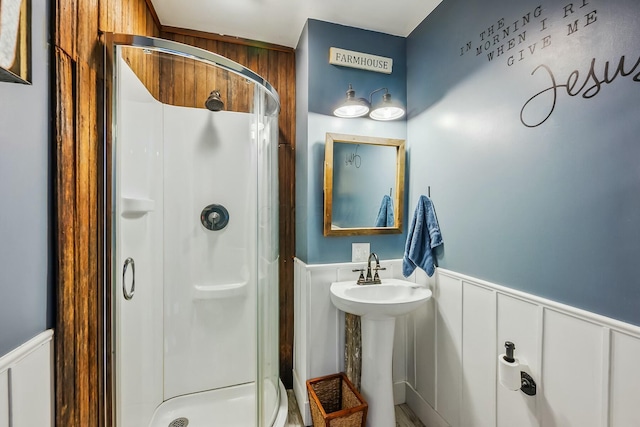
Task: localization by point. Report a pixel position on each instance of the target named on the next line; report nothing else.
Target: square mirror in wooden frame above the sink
(363, 185)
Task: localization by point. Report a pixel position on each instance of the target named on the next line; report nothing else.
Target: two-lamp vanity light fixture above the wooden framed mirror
(352, 107)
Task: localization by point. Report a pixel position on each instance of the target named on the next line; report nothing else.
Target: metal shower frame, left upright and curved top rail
(110, 42)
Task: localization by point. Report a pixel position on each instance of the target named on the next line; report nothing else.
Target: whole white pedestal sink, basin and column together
(378, 305)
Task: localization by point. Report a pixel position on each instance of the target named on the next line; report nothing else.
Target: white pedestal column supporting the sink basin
(377, 383)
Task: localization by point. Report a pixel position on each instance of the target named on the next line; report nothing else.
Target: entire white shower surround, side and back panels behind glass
(191, 325)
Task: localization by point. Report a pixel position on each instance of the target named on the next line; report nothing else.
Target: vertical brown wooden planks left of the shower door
(78, 57)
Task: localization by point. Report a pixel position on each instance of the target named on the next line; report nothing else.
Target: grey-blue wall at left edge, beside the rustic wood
(26, 275)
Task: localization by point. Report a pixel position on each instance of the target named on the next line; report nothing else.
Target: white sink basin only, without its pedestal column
(391, 298)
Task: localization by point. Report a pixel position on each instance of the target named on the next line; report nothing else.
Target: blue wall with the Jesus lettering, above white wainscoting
(536, 186)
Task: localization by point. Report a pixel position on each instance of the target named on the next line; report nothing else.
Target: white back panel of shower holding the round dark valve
(210, 319)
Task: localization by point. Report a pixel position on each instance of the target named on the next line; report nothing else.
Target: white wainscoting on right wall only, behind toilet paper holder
(585, 365)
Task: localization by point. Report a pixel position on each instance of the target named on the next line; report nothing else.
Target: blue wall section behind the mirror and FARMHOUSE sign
(319, 87)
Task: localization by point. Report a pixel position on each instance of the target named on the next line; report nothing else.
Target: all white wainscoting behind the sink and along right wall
(446, 353)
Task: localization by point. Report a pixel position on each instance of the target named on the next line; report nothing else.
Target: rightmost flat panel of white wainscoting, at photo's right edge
(624, 399)
